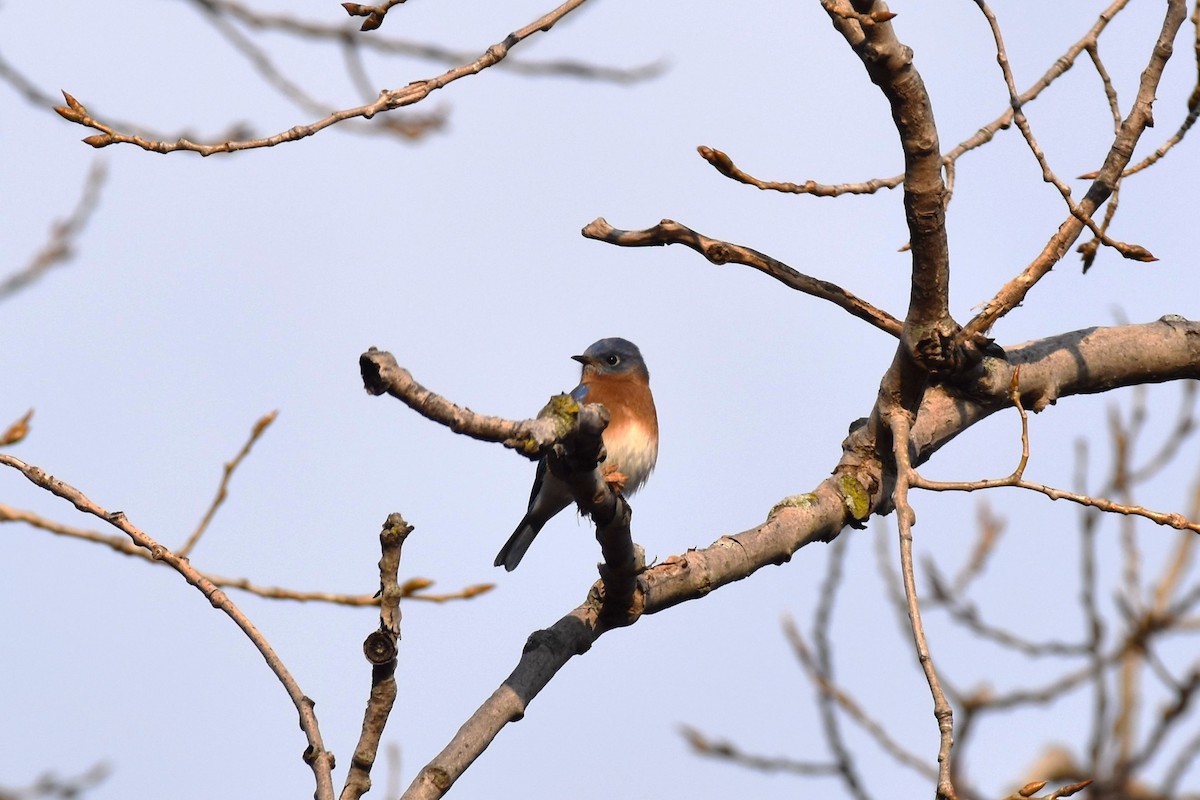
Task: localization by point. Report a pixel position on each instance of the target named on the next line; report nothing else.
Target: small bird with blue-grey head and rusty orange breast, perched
(616, 377)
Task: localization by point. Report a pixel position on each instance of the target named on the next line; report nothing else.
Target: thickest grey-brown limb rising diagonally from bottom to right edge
(1073, 364)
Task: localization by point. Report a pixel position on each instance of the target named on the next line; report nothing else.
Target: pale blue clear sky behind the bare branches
(208, 292)
